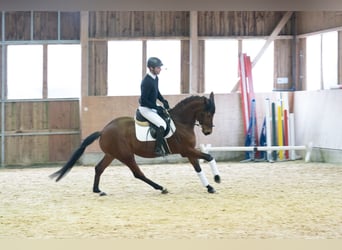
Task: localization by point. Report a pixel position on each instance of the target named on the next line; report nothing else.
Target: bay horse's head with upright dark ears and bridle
(205, 117)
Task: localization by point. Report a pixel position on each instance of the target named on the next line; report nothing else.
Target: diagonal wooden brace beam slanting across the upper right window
(269, 40)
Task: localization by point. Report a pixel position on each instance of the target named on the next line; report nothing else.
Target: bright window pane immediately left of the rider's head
(124, 67)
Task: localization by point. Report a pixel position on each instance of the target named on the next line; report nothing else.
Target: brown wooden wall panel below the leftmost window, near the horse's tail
(41, 131)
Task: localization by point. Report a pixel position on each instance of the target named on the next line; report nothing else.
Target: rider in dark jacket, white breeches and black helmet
(148, 101)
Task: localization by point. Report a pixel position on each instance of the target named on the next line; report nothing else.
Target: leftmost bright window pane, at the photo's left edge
(24, 71)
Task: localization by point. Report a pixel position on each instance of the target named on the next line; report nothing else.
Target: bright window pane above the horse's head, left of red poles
(221, 65)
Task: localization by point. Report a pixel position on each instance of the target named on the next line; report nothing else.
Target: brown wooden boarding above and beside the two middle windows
(109, 25)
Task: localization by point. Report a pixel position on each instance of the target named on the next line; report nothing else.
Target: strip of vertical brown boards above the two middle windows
(137, 24)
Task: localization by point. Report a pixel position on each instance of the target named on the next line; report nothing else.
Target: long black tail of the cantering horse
(75, 156)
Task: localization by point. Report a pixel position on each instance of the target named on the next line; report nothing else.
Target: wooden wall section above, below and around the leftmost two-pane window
(38, 131)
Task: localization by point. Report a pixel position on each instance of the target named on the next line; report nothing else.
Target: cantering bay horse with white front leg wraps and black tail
(118, 141)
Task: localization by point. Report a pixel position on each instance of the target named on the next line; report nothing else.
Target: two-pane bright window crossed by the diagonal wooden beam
(221, 65)
